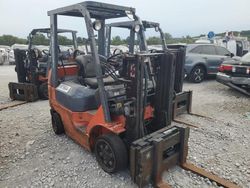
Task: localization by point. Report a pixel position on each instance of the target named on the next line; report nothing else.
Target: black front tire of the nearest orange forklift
(111, 153)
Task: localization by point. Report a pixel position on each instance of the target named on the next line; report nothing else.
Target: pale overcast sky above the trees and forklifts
(177, 17)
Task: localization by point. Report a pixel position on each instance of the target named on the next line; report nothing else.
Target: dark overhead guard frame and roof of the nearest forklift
(88, 10)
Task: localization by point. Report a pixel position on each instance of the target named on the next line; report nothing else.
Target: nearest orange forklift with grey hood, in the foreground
(119, 107)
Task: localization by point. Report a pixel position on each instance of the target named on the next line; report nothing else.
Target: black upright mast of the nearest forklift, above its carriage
(151, 85)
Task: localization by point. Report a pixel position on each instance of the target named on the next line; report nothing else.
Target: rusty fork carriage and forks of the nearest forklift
(151, 155)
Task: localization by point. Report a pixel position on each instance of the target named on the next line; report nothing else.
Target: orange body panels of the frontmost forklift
(92, 121)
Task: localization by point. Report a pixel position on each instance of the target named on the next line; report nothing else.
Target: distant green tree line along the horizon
(40, 39)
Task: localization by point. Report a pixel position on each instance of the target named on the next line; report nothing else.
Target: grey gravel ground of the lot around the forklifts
(31, 155)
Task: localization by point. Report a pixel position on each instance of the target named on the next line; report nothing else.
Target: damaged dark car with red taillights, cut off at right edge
(236, 74)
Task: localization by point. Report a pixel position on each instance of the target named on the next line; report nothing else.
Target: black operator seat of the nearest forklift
(87, 71)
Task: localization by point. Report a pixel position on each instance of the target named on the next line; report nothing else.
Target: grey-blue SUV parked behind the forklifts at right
(203, 60)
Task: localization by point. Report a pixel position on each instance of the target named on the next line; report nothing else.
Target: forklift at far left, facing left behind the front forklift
(32, 65)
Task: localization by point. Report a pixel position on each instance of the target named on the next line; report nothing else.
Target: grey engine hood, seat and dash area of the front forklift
(80, 93)
